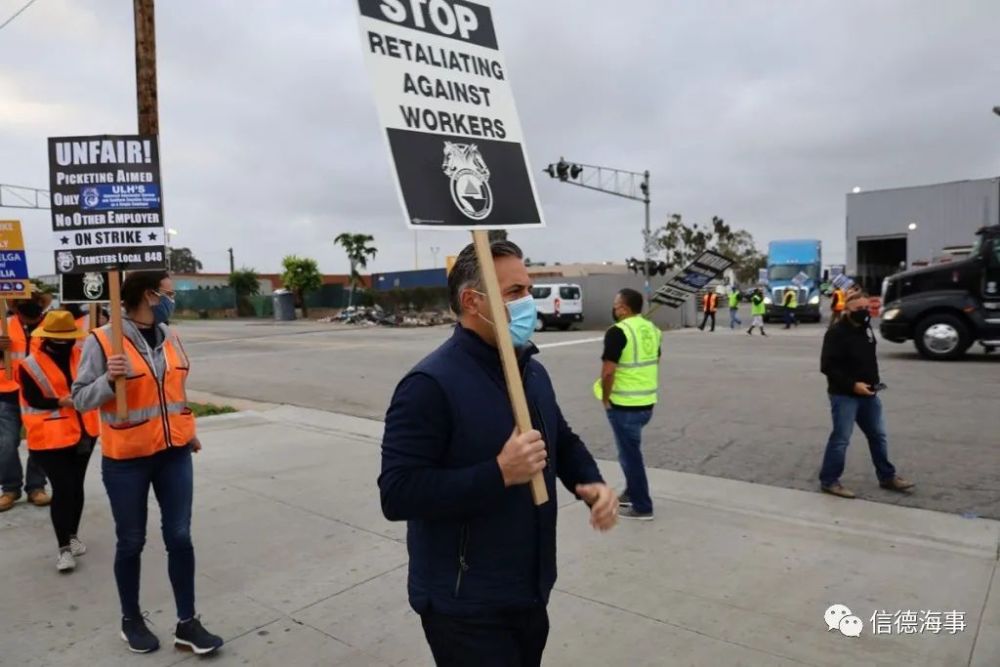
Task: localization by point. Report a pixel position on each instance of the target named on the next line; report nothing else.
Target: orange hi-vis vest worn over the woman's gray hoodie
(158, 415)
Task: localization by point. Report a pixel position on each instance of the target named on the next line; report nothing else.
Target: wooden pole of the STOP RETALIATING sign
(508, 357)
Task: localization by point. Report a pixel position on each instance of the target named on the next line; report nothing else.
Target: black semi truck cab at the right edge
(946, 308)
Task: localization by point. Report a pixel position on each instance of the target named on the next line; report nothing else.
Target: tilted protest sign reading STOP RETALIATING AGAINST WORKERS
(447, 109)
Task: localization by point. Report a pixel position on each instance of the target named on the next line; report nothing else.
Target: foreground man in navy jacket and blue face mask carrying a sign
(482, 555)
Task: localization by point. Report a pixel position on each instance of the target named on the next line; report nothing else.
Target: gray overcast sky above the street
(765, 113)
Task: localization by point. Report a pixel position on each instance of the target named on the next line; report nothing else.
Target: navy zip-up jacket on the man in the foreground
(475, 546)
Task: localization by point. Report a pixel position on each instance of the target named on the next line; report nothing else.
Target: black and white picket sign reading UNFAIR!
(107, 206)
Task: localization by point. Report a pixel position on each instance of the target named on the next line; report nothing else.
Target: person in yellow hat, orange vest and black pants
(59, 438)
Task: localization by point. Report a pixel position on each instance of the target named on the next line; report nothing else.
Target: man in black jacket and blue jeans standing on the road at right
(851, 368)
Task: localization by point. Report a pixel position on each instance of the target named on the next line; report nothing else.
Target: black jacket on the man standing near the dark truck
(849, 357)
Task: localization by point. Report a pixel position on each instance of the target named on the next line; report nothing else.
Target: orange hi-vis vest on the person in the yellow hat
(59, 428)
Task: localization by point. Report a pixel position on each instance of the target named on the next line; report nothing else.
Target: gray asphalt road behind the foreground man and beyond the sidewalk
(733, 406)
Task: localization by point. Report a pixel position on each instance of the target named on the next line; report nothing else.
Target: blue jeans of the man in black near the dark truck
(867, 413)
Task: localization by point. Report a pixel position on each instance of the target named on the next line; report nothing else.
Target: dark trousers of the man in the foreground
(513, 639)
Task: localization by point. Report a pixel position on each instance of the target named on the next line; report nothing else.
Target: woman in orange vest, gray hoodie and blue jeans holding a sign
(151, 447)
